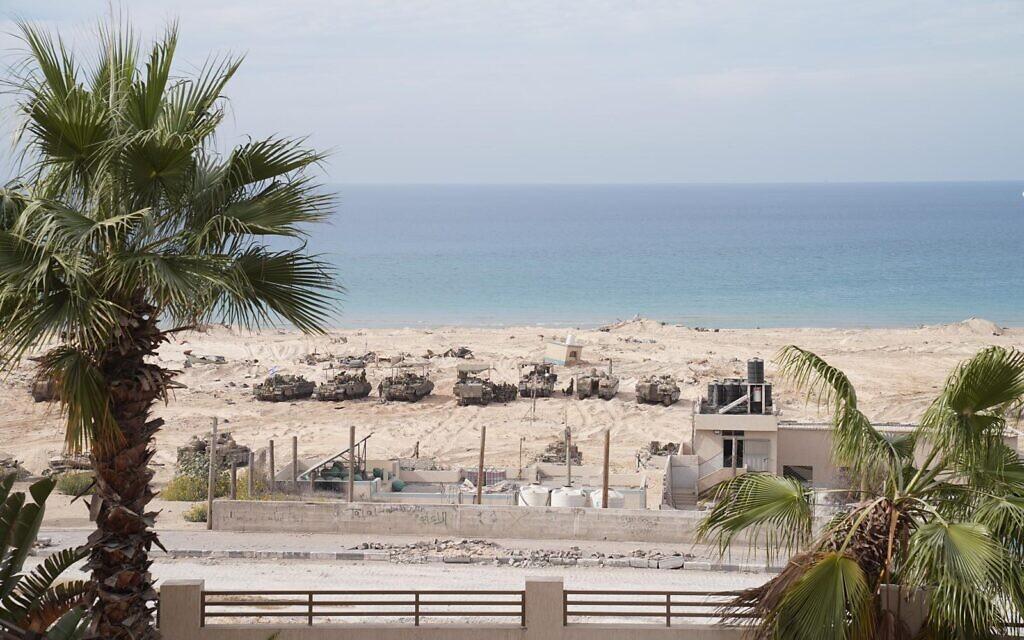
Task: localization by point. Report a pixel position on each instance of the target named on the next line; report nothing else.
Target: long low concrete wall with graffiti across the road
(457, 521)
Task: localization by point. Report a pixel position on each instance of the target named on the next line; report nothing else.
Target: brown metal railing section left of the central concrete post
(314, 607)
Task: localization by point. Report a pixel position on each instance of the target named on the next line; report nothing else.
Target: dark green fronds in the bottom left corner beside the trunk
(35, 603)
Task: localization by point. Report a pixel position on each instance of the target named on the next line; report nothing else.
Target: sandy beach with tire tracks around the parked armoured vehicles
(897, 372)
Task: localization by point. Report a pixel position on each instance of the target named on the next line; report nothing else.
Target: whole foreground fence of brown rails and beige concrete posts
(543, 611)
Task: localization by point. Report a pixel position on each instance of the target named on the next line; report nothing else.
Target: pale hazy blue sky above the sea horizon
(601, 92)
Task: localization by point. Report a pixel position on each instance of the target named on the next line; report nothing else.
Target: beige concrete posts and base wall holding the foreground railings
(181, 617)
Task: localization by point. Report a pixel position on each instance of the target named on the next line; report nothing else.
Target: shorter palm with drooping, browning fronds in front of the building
(940, 513)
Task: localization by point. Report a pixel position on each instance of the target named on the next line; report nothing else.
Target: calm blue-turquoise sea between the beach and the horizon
(782, 255)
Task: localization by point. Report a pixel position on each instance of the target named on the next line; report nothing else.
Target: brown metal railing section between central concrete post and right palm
(663, 607)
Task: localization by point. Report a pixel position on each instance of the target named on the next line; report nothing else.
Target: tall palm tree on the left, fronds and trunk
(129, 228)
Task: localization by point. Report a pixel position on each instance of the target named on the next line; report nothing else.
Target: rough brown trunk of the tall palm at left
(119, 561)
